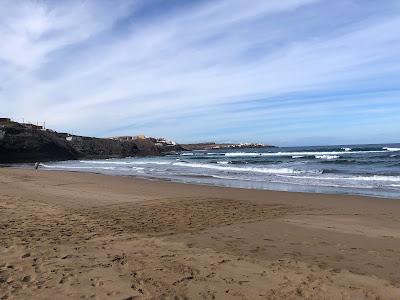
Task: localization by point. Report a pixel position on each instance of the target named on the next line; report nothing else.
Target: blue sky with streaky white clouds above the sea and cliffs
(287, 72)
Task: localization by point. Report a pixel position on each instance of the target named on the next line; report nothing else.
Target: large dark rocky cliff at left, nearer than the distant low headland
(21, 143)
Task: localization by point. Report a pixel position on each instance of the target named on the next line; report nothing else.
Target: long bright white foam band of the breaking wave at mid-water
(239, 169)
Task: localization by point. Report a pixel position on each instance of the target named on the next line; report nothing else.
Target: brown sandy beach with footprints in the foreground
(70, 235)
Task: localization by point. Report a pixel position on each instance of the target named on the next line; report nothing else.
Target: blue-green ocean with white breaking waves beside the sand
(372, 170)
